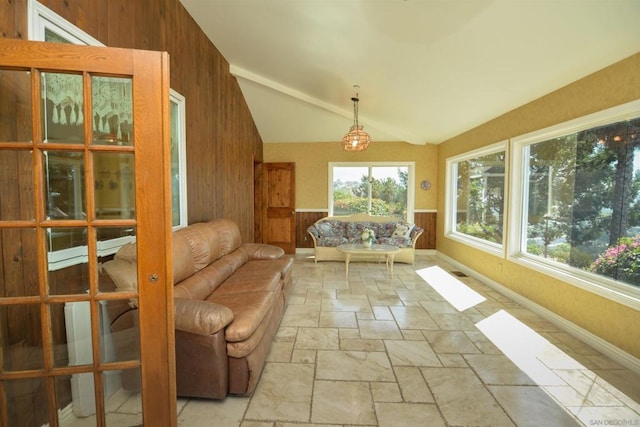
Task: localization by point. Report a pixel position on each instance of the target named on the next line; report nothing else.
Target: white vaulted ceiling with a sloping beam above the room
(427, 70)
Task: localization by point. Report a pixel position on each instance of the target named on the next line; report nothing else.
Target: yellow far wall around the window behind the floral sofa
(312, 167)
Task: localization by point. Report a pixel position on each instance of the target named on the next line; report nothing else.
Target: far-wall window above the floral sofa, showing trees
(384, 189)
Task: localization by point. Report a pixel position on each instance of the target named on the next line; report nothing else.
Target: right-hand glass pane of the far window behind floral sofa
(389, 191)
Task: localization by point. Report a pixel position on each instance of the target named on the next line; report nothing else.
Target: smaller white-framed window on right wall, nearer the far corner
(476, 197)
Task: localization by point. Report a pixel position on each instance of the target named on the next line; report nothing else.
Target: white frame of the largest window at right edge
(517, 237)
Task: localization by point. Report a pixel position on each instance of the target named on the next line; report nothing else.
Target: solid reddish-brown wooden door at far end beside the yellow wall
(279, 205)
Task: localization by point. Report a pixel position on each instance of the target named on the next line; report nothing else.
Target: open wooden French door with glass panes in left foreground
(84, 166)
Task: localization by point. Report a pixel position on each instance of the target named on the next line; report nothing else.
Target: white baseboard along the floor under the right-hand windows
(620, 356)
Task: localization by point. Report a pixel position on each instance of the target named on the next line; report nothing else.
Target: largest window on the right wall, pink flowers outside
(578, 206)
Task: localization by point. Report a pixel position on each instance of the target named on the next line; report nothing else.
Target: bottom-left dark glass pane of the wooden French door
(26, 402)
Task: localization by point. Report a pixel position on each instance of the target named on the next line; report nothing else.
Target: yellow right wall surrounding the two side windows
(614, 85)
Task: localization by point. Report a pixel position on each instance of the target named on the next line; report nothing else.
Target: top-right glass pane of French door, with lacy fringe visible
(112, 110)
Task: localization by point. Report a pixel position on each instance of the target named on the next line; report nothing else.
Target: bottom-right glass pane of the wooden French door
(124, 405)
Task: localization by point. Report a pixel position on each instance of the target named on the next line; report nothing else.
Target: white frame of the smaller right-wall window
(451, 199)
